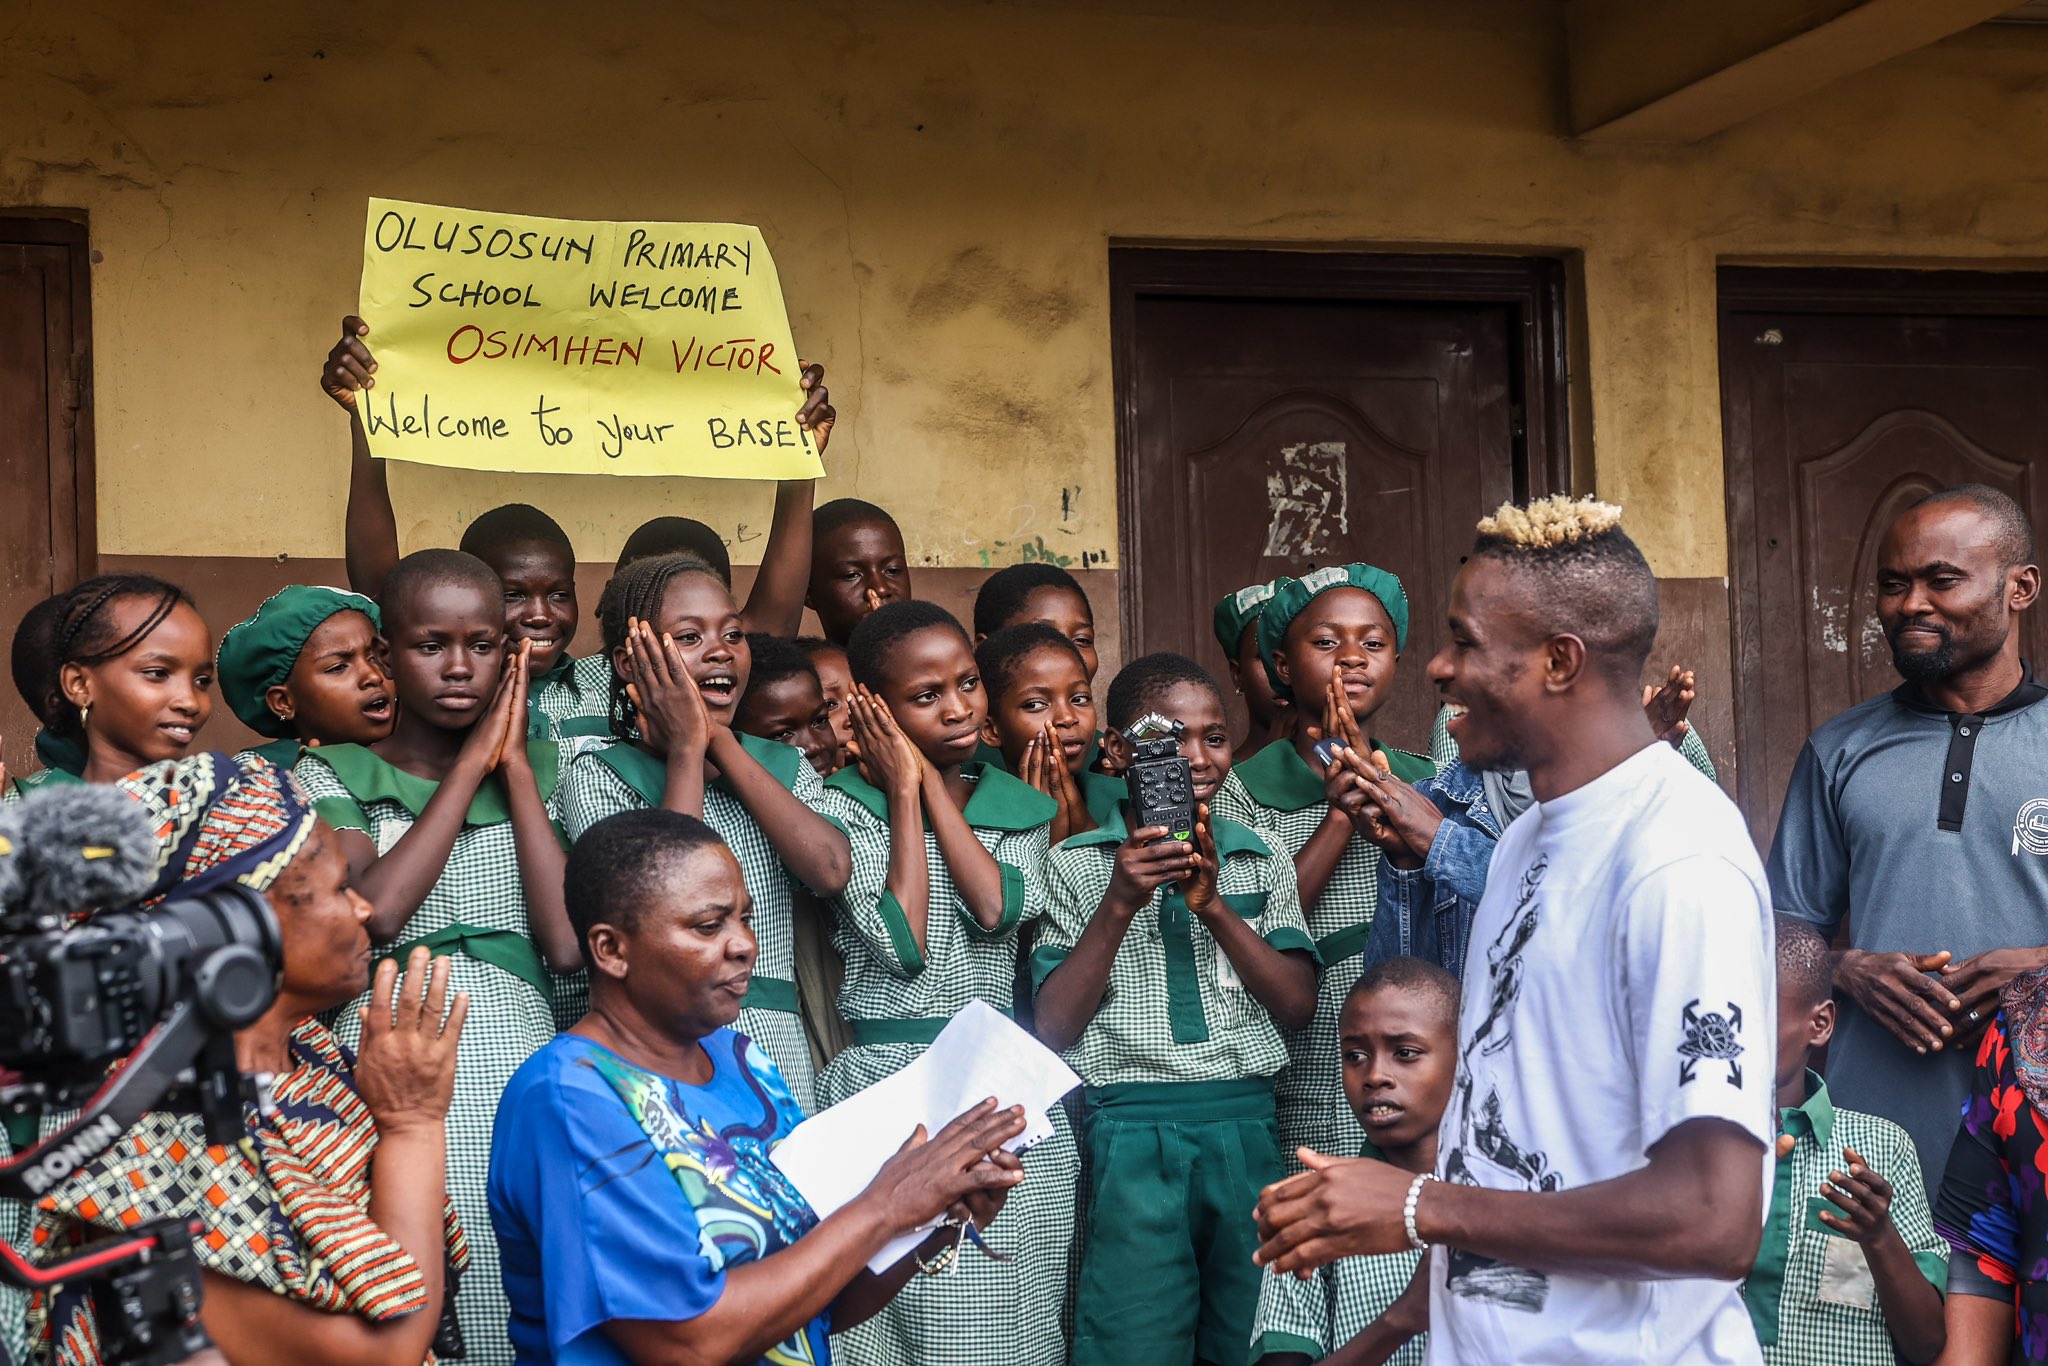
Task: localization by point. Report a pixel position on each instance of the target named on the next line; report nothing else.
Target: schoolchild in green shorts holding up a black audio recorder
(1160, 970)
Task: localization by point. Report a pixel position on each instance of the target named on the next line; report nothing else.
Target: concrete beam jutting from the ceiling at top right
(1678, 71)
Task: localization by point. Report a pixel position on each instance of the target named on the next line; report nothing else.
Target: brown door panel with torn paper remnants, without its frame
(1308, 433)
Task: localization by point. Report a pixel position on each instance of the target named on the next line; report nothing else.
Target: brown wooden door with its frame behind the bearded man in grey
(1848, 396)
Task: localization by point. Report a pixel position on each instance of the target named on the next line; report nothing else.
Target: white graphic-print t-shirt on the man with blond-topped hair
(1621, 982)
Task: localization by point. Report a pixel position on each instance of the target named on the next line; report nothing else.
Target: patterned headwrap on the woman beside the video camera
(220, 820)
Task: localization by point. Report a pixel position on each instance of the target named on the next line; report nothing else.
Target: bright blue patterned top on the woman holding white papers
(630, 1195)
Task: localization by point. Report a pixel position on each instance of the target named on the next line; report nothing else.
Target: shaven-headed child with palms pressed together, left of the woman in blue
(450, 828)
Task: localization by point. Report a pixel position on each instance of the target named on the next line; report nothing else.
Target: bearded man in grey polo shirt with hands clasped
(1922, 818)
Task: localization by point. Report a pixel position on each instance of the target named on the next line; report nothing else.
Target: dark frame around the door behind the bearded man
(1820, 292)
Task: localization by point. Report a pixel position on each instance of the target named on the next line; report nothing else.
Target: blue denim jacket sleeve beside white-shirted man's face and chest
(1428, 912)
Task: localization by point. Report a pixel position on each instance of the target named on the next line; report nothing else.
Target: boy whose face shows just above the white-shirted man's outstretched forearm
(1400, 1035)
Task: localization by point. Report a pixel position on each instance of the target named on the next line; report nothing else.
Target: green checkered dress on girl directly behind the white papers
(896, 1002)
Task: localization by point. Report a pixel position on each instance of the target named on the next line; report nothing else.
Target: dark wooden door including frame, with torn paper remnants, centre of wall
(1285, 413)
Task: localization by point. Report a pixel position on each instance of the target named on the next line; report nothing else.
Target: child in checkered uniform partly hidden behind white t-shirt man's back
(1852, 1269)
